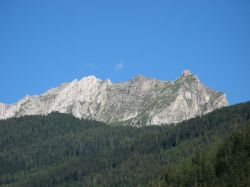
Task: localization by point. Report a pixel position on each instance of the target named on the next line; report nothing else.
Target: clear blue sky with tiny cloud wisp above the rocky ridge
(48, 42)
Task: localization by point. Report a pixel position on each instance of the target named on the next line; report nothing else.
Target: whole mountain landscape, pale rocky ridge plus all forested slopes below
(95, 133)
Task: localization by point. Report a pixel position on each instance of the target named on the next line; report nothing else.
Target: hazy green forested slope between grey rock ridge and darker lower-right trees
(60, 150)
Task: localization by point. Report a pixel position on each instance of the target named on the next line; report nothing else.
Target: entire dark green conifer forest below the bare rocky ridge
(63, 151)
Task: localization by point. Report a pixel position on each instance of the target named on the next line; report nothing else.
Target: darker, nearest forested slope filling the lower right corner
(224, 165)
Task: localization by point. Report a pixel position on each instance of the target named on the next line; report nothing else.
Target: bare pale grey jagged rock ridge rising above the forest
(138, 101)
